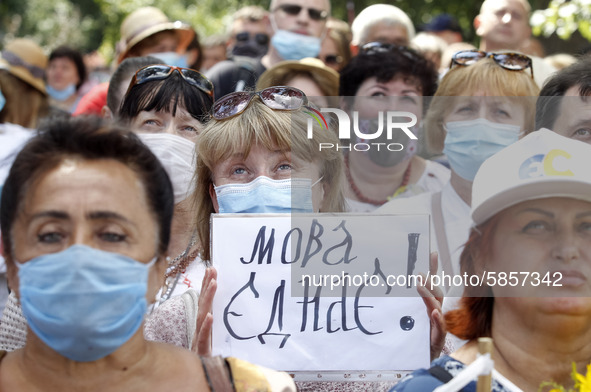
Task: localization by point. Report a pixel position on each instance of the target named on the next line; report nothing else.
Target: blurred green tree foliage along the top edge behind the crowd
(94, 24)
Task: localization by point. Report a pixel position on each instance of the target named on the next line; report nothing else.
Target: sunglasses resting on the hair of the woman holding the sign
(276, 98)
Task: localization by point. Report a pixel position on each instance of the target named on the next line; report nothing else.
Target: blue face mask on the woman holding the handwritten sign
(264, 195)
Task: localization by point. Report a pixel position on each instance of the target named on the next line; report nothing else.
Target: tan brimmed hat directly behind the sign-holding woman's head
(276, 74)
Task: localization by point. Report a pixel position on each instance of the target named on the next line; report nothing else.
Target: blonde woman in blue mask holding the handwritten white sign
(256, 156)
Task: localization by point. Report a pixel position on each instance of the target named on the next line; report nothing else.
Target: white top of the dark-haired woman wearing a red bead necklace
(434, 177)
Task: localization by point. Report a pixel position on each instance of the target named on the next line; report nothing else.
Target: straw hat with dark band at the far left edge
(24, 59)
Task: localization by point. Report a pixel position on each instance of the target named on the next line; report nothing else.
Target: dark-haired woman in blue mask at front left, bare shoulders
(86, 213)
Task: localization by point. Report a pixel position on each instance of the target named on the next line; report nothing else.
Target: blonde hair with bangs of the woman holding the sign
(274, 130)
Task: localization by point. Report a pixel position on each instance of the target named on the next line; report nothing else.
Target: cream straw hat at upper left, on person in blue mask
(147, 21)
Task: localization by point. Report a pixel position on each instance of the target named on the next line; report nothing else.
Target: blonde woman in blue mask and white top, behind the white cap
(482, 105)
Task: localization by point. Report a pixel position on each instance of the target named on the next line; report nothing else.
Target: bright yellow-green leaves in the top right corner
(563, 18)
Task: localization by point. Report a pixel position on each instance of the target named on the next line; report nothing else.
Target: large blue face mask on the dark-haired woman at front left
(83, 302)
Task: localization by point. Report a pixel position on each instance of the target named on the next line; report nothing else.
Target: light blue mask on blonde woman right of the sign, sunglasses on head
(469, 143)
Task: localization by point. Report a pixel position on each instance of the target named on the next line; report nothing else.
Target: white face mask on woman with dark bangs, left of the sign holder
(177, 155)
